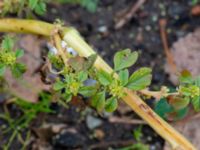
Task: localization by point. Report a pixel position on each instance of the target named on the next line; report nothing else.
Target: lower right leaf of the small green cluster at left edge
(18, 69)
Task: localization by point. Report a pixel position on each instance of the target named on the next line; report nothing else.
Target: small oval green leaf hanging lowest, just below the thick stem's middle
(111, 104)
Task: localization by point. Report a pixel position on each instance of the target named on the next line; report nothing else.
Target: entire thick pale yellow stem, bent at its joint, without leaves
(74, 40)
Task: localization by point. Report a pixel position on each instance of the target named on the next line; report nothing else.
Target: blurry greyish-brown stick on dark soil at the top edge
(124, 19)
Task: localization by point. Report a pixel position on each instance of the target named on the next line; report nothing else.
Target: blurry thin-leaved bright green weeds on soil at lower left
(16, 125)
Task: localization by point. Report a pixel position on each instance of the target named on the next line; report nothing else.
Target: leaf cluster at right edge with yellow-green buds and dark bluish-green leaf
(174, 105)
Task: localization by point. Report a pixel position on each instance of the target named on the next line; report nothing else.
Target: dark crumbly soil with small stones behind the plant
(141, 33)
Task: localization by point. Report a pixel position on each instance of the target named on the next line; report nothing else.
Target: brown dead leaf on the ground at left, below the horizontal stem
(31, 85)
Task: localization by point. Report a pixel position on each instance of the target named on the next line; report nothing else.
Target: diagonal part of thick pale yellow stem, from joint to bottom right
(135, 102)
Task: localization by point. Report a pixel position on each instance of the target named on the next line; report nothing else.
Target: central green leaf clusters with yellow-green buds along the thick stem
(106, 91)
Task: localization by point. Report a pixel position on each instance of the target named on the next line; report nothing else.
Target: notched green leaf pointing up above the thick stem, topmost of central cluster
(124, 59)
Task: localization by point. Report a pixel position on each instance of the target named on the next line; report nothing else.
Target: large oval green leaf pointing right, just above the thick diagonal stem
(140, 79)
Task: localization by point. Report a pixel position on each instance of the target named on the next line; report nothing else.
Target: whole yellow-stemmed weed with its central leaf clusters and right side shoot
(108, 83)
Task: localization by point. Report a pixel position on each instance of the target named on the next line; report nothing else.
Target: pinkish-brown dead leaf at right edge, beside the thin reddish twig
(186, 53)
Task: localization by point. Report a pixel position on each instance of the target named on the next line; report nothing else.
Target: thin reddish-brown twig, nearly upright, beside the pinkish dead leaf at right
(168, 53)
